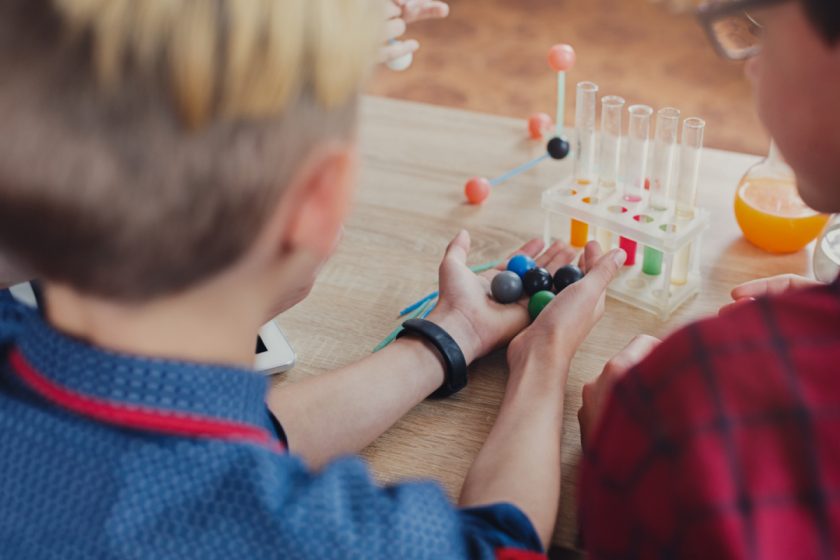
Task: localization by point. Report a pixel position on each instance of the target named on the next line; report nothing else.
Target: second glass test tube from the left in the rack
(609, 156)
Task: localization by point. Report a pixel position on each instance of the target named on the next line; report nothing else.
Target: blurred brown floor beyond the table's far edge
(490, 56)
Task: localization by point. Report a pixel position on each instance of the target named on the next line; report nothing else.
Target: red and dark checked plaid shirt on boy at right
(725, 442)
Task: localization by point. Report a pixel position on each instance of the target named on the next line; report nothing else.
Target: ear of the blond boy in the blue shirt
(318, 200)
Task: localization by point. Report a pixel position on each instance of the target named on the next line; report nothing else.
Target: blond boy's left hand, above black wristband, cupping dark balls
(467, 310)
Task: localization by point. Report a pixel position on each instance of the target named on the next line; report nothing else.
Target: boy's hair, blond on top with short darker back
(144, 142)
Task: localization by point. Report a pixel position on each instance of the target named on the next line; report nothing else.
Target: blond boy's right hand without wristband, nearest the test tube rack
(554, 337)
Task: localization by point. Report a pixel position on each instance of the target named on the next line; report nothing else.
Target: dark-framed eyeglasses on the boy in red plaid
(733, 27)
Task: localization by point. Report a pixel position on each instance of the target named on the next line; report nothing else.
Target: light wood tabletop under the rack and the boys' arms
(410, 203)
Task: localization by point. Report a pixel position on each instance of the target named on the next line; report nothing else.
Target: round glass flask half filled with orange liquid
(769, 210)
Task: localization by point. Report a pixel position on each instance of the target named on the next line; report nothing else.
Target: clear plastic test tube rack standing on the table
(677, 240)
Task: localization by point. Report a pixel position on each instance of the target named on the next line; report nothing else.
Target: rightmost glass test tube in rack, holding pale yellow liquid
(689, 175)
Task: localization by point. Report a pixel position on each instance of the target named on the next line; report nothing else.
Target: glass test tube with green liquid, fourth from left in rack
(667, 125)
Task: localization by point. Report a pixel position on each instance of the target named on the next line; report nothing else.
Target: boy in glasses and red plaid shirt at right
(722, 441)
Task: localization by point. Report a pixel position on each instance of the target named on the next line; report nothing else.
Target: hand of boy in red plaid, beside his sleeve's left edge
(596, 394)
